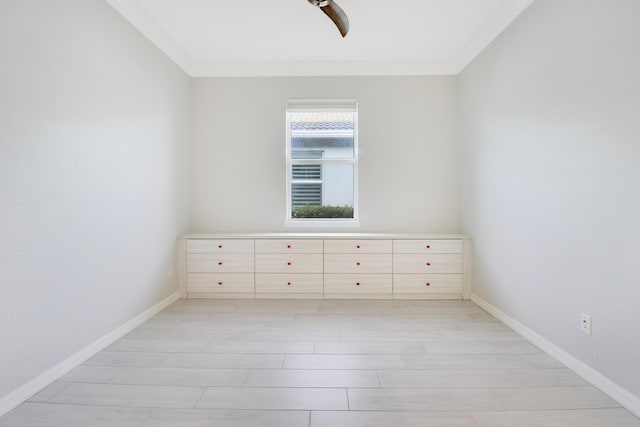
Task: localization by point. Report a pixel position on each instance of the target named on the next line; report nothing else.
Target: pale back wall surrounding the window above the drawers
(407, 176)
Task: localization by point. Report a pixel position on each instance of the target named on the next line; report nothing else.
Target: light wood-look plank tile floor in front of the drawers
(301, 363)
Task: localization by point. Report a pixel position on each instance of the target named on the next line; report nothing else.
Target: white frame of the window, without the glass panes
(321, 105)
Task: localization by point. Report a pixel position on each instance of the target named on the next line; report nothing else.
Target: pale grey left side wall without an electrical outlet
(94, 129)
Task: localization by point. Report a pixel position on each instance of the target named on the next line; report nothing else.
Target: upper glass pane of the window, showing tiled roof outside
(329, 132)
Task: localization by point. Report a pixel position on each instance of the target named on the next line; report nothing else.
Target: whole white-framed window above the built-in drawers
(322, 160)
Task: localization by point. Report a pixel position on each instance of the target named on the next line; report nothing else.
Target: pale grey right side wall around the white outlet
(549, 134)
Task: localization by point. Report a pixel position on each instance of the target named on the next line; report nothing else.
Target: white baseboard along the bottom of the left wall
(27, 390)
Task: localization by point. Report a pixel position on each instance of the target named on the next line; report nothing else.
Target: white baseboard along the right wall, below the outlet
(613, 390)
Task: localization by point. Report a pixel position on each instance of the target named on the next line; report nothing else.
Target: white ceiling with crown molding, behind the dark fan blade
(292, 37)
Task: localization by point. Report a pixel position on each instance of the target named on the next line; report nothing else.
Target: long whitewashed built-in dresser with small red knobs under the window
(320, 265)
